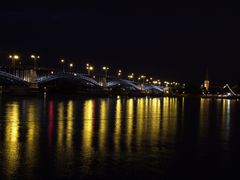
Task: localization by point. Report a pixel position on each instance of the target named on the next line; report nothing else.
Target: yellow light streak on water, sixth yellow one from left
(104, 105)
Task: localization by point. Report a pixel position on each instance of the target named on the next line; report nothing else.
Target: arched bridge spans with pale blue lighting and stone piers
(70, 80)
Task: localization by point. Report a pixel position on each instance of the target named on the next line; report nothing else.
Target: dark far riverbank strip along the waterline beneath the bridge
(34, 92)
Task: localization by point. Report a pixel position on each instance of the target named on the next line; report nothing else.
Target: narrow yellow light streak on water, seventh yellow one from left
(117, 130)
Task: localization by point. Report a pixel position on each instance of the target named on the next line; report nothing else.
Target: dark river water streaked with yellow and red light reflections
(119, 138)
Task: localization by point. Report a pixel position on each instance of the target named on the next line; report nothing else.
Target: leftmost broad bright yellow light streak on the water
(12, 138)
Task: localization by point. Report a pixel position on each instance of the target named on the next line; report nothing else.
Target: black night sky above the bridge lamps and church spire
(169, 42)
